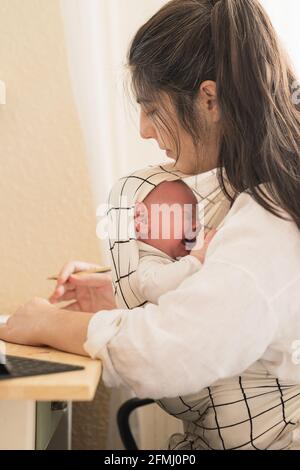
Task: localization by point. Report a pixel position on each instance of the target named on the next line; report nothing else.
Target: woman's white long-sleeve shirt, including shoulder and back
(243, 306)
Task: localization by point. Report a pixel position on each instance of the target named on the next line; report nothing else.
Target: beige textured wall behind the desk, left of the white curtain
(46, 210)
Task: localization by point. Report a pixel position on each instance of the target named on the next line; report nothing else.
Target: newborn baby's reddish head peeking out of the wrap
(168, 219)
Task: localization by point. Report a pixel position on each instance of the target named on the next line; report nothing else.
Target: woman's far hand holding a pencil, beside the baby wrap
(89, 293)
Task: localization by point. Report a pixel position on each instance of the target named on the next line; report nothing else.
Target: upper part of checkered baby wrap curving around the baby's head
(133, 189)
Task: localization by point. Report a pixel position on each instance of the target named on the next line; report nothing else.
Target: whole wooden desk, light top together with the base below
(27, 419)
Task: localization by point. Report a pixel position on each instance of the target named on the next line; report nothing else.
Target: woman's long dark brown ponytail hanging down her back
(261, 123)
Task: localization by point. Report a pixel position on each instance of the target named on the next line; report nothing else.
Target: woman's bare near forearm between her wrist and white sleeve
(65, 330)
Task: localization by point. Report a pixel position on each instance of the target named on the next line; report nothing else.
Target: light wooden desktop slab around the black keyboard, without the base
(69, 386)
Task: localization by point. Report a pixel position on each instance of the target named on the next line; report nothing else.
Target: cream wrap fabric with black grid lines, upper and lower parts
(252, 411)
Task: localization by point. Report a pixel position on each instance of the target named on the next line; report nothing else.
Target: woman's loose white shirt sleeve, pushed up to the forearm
(215, 326)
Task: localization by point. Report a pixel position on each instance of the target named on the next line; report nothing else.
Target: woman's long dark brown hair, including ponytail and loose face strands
(233, 43)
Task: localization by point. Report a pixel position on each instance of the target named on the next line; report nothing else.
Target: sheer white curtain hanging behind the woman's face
(98, 33)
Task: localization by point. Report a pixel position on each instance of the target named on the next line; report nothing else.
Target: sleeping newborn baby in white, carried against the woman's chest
(169, 223)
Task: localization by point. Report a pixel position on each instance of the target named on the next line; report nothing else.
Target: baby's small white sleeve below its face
(159, 276)
